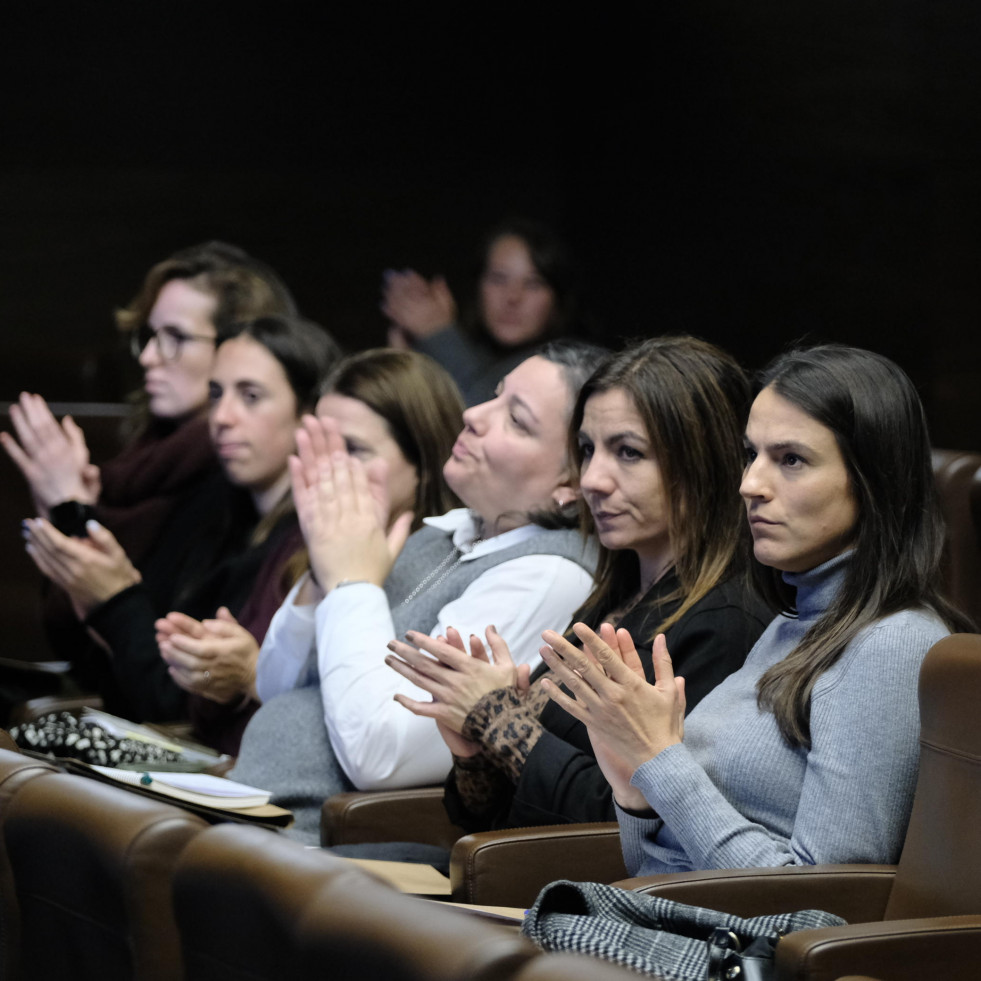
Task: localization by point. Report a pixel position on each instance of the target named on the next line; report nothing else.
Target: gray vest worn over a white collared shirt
(286, 748)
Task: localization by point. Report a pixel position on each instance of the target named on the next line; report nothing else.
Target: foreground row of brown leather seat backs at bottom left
(96, 882)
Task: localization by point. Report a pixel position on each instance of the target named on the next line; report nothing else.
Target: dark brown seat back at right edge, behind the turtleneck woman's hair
(958, 479)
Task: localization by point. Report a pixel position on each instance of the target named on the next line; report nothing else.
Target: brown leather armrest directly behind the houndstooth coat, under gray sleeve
(857, 893)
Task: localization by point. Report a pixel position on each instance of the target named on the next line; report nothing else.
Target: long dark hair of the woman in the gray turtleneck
(872, 408)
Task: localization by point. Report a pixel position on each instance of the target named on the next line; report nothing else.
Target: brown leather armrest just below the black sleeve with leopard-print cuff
(509, 868)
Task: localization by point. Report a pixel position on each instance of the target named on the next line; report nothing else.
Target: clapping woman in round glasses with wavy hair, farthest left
(162, 496)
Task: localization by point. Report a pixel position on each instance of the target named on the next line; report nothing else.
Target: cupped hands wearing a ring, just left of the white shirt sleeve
(213, 658)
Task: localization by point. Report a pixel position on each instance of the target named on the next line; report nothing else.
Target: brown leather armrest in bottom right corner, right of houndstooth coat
(901, 950)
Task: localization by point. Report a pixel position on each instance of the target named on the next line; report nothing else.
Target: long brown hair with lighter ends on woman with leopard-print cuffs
(693, 399)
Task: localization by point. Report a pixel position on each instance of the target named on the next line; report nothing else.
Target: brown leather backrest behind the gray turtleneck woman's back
(939, 873)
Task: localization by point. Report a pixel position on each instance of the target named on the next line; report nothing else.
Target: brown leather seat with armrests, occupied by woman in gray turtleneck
(919, 919)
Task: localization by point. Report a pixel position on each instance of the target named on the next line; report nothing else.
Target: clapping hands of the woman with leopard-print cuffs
(456, 680)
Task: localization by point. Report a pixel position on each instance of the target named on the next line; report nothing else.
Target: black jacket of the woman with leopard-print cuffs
(560, 781)
